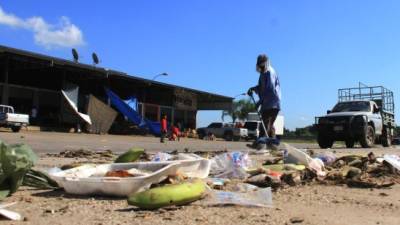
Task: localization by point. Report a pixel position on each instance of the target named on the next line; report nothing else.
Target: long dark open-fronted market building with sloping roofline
(30, 80)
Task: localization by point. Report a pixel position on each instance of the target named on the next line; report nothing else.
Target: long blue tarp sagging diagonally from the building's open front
(127, 109)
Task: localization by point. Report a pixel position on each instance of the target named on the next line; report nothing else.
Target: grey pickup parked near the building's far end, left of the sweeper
(223, 130)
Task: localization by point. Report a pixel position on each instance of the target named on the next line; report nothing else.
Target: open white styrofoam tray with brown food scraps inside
(89, 179)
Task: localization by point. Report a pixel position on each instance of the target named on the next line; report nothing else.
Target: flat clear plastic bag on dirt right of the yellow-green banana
(247, 195)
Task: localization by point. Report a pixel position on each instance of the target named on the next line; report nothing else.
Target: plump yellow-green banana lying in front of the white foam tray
(174, 194)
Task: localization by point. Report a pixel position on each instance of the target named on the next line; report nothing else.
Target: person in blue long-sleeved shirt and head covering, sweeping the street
(269, 92)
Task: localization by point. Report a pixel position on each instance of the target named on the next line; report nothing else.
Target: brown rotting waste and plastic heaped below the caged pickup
(296, 167)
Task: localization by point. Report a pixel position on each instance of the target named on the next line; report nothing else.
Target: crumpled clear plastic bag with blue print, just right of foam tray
(231, 165)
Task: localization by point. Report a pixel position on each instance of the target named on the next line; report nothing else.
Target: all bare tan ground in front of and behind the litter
(310, 204)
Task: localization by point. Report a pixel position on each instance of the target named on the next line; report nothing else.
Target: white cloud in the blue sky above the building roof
(64, 34)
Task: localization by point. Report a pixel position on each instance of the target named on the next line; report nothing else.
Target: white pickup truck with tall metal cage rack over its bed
(363, 114)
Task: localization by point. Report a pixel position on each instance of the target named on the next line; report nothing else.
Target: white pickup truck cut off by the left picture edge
(12, 120)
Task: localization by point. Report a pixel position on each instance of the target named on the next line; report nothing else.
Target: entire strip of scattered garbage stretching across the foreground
(152, 181)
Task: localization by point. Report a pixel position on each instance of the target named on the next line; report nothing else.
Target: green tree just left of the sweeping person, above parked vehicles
(239, 110)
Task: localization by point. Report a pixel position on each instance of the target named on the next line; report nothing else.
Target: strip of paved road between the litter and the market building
(45, 142)
